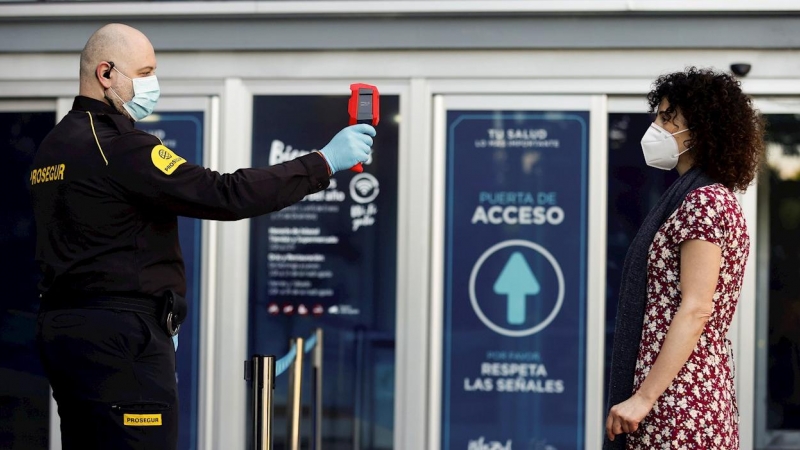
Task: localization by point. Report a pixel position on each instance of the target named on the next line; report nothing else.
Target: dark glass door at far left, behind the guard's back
(24, 391)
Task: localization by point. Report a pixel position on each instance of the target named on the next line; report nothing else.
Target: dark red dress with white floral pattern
(698, 410)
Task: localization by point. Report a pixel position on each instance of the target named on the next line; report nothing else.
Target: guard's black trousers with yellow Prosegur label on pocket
(113, 377)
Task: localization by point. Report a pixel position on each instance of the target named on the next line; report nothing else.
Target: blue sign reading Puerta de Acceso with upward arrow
(515, 280)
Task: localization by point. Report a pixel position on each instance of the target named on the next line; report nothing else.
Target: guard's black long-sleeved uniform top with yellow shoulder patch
(106, 199)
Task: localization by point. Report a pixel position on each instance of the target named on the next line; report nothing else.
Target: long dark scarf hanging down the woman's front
(633, 293)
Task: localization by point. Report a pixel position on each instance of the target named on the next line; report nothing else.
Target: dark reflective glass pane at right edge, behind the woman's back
(779, 208)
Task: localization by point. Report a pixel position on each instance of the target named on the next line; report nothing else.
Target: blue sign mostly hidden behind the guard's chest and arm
(182, 132)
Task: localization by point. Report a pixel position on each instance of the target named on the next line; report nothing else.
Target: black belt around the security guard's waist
(145, 305)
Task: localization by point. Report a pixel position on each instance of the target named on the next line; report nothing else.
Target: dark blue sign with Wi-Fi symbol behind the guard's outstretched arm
(329, 262)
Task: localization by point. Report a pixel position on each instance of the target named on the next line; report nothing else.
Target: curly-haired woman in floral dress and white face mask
(672, 373)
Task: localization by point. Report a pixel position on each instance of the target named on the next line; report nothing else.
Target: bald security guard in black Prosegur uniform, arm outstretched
(106, 200)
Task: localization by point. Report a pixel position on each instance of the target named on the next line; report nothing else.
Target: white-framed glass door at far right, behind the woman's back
(778, 299)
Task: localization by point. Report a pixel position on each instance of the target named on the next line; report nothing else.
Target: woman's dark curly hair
(727, 132)
